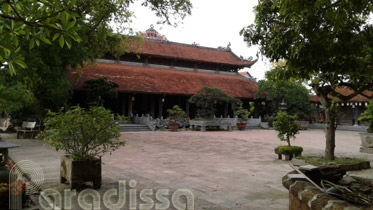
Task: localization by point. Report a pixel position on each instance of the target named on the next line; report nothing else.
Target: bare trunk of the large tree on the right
(330, 117)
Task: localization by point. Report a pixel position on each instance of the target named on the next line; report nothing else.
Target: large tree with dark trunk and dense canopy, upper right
(328, 42)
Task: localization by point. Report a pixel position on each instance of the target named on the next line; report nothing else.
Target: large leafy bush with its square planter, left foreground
(86, 135)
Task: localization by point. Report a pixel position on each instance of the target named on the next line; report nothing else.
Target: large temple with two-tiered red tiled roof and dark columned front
(164, 73)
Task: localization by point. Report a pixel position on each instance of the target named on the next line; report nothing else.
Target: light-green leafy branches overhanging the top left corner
(64, 21)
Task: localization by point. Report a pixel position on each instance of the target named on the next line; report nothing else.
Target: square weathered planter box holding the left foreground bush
(79, 171)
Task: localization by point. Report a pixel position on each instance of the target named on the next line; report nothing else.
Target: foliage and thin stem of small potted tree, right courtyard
(286, 126)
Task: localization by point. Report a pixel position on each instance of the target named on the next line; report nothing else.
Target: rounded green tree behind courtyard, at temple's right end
(294, 94)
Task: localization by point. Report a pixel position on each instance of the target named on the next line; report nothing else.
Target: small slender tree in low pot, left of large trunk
(287, 128)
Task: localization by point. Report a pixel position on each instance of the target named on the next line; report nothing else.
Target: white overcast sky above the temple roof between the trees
(213, 23)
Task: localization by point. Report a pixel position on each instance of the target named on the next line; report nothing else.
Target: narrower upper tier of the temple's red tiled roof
(190, 52)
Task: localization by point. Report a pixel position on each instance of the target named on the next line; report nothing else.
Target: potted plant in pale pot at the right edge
(367, 138)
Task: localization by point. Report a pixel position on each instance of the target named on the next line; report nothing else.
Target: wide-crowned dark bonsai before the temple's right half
(207, 98)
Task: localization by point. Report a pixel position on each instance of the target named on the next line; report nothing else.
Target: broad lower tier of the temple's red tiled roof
(163, 81)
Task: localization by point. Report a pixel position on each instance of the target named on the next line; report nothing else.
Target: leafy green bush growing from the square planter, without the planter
(86, 134)
